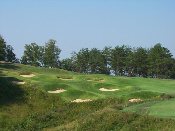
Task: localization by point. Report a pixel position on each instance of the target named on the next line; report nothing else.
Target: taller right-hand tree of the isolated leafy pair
(51, 54)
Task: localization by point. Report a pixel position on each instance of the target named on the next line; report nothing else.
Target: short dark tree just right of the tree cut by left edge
(10, 56)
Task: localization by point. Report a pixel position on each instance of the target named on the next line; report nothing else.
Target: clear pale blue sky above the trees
(77, 24)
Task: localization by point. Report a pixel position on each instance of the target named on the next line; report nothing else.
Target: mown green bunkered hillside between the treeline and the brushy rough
(82, 86)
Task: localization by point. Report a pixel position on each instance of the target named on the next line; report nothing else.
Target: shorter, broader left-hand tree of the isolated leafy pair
(33, 55)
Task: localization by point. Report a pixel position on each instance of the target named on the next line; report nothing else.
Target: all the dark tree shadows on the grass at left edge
(10, 93)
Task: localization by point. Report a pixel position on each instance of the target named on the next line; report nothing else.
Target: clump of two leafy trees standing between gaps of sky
(47, 56)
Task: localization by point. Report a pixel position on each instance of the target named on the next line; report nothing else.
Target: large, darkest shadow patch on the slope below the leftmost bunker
(10, 93)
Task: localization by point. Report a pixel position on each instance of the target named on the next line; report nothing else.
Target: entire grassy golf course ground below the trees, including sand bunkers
(38, 98)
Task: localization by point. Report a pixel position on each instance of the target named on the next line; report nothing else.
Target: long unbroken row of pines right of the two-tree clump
(156, 62)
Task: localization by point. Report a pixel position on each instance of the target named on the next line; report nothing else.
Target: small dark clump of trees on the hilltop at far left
(6, 52)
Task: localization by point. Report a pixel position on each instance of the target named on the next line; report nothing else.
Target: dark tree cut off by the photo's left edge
(2, 49)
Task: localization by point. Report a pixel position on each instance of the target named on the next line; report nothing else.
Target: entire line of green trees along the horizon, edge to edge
(156, 62)
